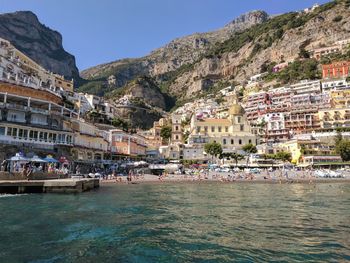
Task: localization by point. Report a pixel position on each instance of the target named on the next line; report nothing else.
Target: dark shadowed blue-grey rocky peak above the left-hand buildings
(39, 42)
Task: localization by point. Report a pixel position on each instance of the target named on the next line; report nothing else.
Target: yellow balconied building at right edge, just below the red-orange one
(334, 118)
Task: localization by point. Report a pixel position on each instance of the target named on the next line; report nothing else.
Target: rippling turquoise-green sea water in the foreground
(179, 223)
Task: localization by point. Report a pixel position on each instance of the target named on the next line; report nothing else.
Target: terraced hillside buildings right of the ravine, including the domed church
(300, 118)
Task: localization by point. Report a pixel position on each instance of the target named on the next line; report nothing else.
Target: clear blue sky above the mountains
(99, 31)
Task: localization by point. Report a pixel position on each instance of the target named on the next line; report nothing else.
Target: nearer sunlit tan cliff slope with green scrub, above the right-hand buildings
(277, 40)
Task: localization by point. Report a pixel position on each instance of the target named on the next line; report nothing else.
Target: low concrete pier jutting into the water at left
(48, 186)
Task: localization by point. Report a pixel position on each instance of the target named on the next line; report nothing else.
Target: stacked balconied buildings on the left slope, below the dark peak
(40, 114)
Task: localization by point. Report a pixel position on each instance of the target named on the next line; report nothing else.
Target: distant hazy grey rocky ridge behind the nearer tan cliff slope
(177, 53)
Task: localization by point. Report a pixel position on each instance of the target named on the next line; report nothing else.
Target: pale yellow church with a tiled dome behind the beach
(232, 133)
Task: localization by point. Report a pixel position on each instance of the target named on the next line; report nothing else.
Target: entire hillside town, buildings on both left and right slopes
(42, 115)
